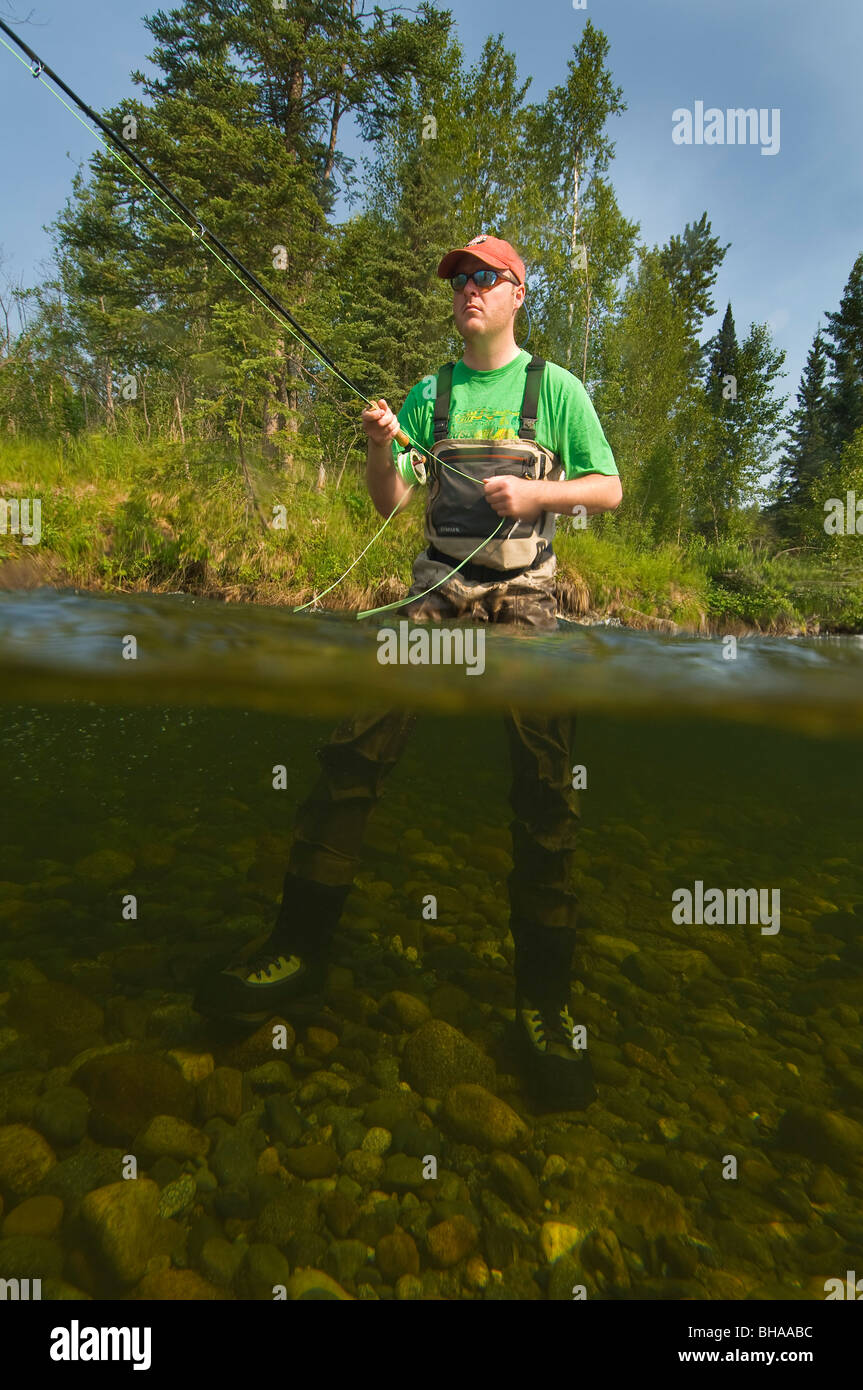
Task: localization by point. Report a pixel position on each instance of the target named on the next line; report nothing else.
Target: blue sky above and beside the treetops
(794, 219)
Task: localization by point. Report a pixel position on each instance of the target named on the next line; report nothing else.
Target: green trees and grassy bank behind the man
(165, 419)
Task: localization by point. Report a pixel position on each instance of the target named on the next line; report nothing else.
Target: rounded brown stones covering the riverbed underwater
(306, 1167)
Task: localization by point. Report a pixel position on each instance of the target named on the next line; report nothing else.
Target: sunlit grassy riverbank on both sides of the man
(119, 516)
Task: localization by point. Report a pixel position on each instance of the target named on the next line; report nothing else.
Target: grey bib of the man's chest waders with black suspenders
(458, 518)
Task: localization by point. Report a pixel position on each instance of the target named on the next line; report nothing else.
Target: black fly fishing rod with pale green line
(233, 265)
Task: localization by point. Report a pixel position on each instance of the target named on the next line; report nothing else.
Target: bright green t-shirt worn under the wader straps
(487, 405)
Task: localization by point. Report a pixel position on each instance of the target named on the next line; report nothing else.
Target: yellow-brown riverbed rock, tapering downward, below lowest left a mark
(122, 1221)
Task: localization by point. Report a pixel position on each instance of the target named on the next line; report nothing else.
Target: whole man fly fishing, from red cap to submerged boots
(529, 434)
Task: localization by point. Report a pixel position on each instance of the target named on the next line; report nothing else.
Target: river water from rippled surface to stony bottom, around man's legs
(155, 754)
